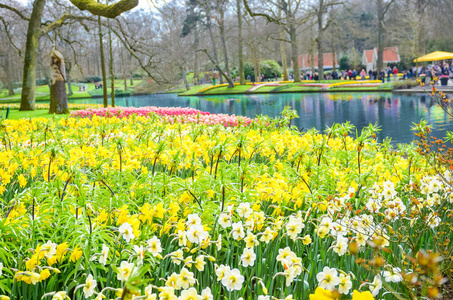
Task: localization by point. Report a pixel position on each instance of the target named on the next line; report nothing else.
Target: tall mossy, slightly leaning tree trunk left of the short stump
(27, 101)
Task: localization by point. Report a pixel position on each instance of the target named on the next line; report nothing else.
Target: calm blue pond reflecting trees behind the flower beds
(394, 113)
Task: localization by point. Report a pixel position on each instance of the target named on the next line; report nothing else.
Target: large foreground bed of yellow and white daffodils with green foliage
(142, 207)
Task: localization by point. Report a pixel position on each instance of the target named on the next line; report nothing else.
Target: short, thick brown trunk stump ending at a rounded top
(58, 97)
